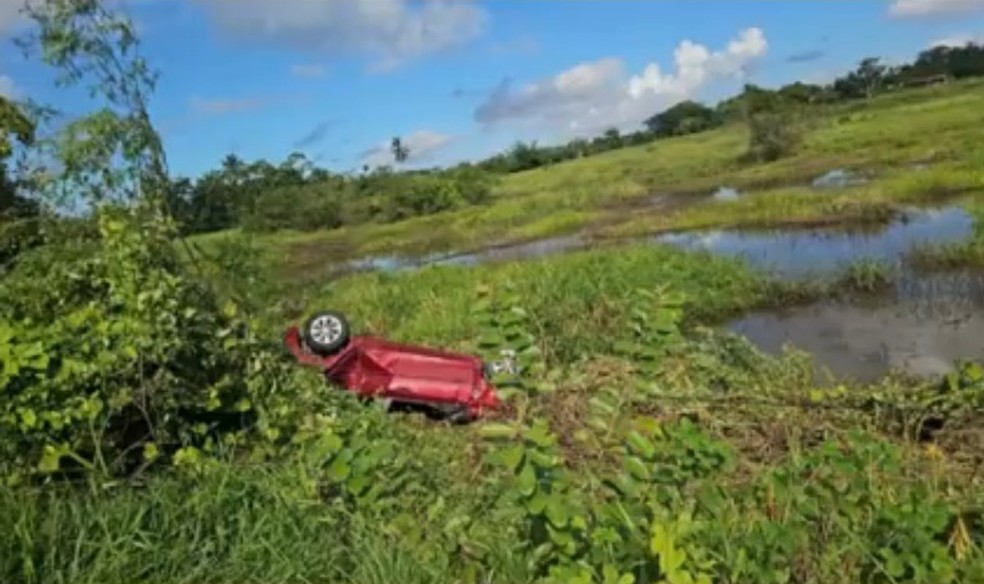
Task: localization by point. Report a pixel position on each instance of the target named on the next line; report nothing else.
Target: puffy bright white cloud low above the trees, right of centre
(595, 95)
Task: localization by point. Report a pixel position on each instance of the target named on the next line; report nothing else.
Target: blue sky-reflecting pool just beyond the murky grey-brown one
(798, 253)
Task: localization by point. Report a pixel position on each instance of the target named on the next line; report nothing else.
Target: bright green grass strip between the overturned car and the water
(579, 300)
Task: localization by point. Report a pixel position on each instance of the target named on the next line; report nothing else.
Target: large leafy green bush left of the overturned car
(113, 359)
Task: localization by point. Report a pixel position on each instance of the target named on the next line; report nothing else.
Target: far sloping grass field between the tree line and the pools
(887, 136)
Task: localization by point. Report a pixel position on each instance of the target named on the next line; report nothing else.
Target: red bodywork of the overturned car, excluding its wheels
(378, 368)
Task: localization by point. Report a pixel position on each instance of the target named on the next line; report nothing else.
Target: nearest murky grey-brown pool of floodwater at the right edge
(925, 324)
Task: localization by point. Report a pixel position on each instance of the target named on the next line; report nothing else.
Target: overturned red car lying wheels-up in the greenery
(457, 387)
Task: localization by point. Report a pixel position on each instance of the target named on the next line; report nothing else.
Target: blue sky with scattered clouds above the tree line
(460, 79)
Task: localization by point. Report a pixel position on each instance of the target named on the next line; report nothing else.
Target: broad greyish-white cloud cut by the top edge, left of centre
(392, 31)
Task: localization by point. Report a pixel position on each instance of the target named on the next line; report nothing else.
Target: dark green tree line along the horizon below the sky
(297, 194)
